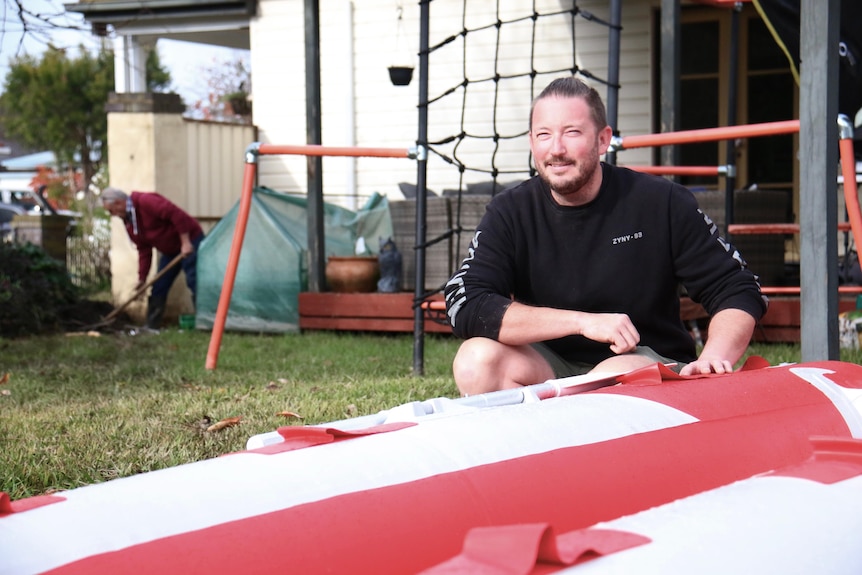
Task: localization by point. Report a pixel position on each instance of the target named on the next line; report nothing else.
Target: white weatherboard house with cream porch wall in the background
(485, 63)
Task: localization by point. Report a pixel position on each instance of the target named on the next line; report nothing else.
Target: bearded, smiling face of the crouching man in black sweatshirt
(566, 144)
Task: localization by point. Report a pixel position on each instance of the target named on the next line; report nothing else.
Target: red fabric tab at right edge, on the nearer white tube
(835, 459)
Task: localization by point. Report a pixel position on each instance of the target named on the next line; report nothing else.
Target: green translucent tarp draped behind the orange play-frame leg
(273, 268)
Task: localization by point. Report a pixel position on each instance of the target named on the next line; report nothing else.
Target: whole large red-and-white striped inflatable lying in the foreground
(668, 462)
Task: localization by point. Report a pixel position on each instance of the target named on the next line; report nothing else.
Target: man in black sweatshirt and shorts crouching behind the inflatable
(579, 267)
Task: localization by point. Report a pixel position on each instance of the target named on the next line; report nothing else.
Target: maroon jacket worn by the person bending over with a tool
(159, 225)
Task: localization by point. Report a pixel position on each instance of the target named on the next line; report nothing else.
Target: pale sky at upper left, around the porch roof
(49, 22)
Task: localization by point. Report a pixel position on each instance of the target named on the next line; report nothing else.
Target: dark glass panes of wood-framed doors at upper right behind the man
(765, 92)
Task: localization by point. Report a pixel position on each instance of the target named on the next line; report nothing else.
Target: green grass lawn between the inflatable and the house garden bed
(79, 410)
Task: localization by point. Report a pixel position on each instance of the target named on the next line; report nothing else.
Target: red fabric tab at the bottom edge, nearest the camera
(529, 548)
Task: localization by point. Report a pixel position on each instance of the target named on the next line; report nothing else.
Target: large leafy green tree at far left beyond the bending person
(58, 103)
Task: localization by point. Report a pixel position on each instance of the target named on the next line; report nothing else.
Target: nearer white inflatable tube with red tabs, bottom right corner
(800, 519)
